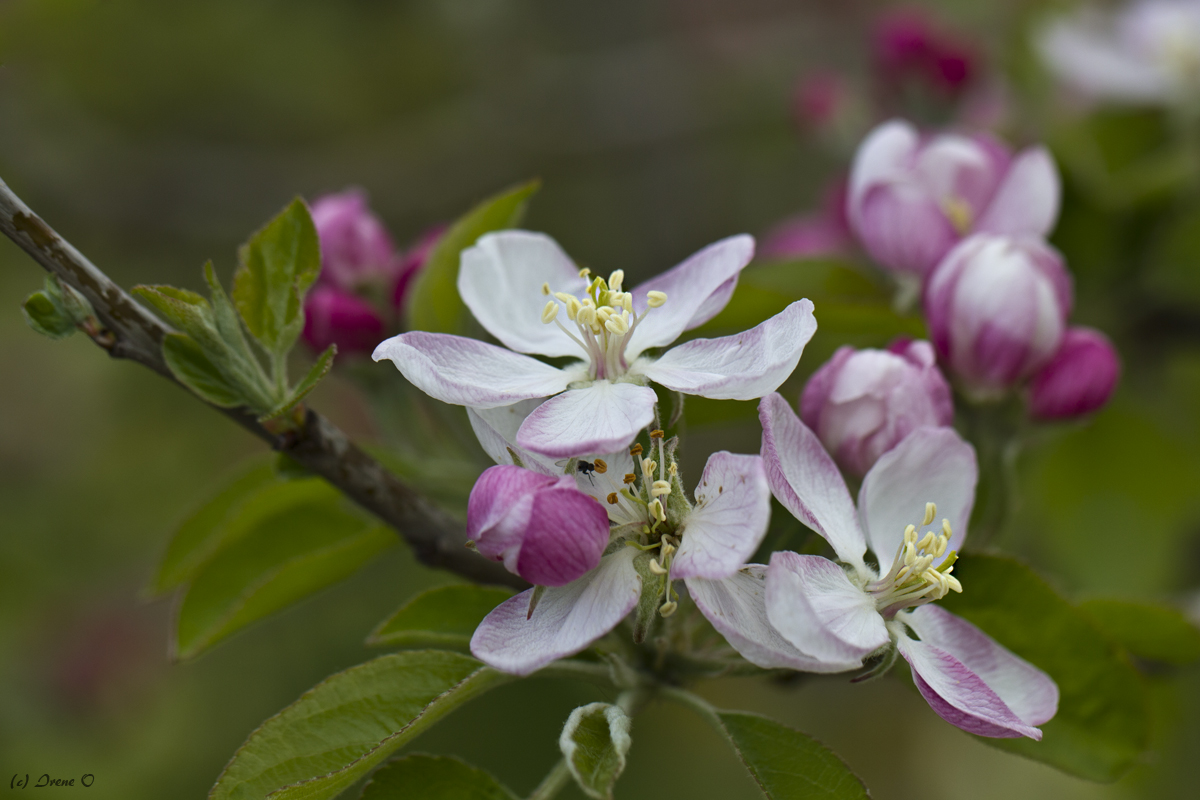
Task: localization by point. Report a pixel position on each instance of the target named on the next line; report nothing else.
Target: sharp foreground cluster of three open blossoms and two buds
(587, 501)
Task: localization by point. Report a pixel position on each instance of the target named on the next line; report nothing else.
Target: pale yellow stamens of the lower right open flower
(914, 580)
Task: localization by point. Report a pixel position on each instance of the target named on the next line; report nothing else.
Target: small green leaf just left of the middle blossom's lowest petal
(442, 617)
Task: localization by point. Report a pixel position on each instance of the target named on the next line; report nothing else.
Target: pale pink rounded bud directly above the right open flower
(863, 404)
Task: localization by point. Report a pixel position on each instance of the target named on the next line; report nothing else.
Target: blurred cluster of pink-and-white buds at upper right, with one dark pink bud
(963, 221)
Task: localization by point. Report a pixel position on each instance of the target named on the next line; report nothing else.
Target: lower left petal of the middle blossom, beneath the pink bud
(566, 621)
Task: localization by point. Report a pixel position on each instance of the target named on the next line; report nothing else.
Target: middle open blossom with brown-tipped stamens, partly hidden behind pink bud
(656, 538)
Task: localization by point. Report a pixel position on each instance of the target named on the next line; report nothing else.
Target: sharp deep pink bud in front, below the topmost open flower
(541, 527)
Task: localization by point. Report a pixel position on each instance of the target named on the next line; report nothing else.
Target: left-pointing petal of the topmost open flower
(467, 372)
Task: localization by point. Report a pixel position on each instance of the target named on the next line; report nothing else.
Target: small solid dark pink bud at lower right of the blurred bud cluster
(1079, 380)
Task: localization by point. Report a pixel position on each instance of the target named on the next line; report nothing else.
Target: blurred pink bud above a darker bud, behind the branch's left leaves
(356, 250)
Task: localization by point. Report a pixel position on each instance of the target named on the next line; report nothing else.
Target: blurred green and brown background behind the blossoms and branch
(155, 136)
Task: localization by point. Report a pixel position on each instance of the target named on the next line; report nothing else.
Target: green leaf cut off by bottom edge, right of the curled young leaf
(787, 763)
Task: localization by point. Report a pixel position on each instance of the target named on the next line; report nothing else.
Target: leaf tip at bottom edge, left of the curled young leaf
(433, 778)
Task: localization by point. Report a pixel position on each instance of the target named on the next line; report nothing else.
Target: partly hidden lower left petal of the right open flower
(737, 609)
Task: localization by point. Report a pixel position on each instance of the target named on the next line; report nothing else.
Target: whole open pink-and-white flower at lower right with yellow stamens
(841, 613)
